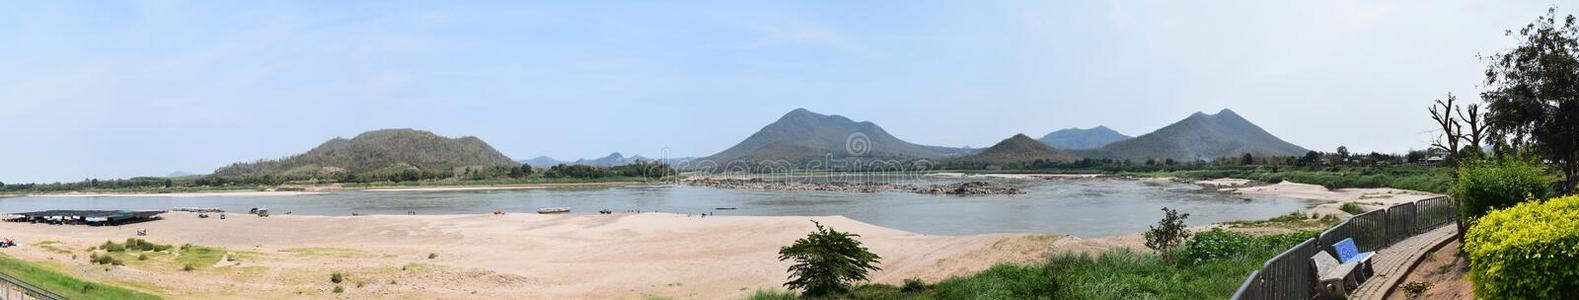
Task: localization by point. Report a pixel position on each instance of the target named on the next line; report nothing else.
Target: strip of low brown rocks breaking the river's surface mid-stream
(956, 189)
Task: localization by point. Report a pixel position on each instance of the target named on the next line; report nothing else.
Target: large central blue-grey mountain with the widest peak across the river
(805, 137)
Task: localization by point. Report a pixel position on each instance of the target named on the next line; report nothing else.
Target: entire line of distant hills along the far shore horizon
(798, 137)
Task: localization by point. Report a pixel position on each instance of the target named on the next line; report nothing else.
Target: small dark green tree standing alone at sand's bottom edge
(827, 261)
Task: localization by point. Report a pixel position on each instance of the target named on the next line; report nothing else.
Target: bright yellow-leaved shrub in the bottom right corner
(1526, 252)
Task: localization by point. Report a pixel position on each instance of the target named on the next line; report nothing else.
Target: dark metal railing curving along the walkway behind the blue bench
(1291, 276)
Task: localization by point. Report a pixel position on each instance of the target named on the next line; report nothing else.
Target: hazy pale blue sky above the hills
(121, 89)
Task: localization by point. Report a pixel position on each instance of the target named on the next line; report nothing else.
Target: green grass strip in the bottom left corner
(66, 285)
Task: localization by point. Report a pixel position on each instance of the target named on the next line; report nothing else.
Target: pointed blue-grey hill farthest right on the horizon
(1201, 137)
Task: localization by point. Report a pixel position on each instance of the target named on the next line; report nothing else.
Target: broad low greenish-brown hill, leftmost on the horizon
(380, 152)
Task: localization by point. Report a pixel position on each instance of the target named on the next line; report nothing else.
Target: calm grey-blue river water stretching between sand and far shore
(1079, 208)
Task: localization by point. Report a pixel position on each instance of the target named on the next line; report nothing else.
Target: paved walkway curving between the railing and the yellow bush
(1395, 263)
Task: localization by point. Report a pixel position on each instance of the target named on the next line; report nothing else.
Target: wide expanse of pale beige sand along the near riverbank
(514, 257)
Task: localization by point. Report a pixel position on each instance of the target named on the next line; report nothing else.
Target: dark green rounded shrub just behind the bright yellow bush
(1485, 187)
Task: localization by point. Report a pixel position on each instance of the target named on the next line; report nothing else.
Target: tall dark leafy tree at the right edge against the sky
(1534, 94)
